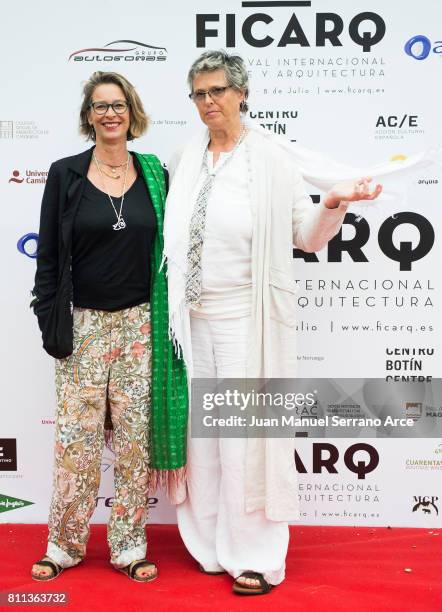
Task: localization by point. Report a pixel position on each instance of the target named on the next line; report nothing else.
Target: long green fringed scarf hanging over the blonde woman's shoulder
(169, 406)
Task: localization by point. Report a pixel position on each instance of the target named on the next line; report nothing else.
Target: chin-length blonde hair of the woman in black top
(139, 121)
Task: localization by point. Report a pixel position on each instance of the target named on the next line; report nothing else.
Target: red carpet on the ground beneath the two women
(328, 568)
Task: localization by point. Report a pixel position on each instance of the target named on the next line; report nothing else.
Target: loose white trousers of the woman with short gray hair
(212, 520)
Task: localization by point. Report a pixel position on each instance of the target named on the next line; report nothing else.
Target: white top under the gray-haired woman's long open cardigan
(227, 248)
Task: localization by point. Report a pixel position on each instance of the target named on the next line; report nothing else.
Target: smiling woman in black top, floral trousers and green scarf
(100, 296)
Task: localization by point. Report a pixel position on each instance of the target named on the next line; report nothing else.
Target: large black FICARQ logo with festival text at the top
(312, 52)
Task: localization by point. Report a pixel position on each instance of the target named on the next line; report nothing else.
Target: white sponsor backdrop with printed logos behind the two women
(359, 81)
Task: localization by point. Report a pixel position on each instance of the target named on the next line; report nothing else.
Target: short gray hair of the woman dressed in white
(233, 66)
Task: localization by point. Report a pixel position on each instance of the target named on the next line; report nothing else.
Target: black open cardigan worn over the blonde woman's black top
(52, 292)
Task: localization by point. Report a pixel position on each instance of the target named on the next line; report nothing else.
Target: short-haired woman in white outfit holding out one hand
(236, 207)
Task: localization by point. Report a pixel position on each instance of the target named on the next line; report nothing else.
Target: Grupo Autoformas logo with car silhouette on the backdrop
(120, 51)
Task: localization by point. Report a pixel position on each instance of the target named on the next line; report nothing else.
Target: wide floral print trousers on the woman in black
(109, 367)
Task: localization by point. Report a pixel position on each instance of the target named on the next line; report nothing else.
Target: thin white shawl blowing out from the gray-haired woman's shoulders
(185, 167)
